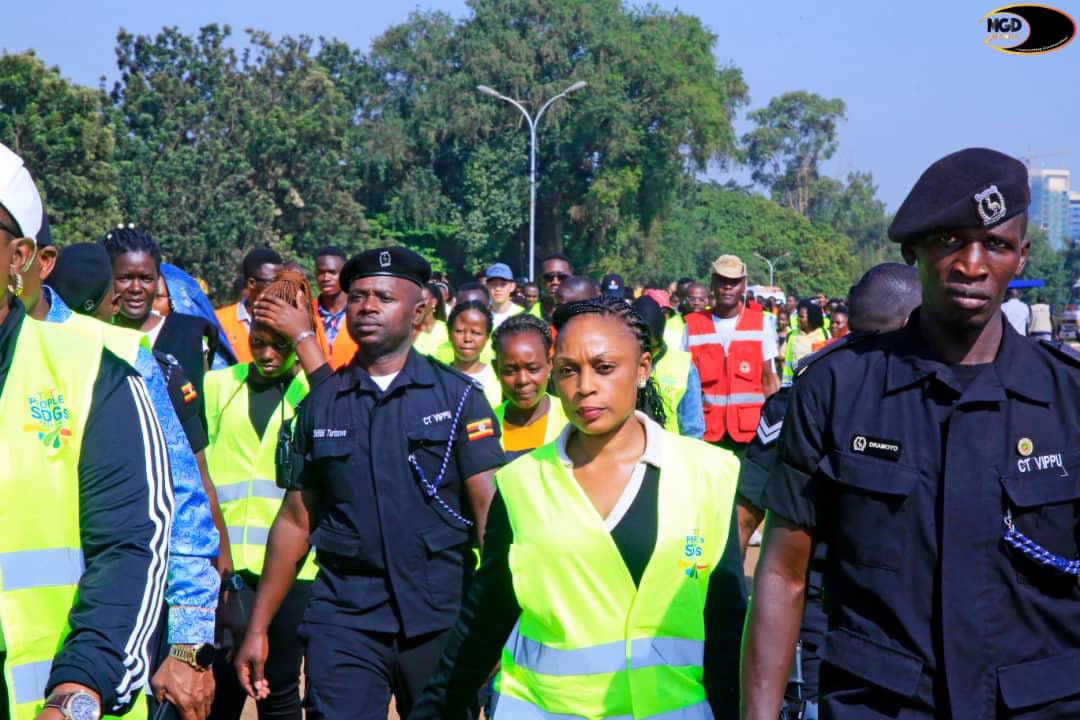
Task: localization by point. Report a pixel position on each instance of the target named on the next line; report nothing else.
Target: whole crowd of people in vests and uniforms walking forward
(534, 500)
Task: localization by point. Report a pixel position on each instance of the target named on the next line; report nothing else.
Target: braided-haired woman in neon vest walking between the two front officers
(610, 568)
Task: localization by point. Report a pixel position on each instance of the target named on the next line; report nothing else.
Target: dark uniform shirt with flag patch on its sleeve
(393, 558)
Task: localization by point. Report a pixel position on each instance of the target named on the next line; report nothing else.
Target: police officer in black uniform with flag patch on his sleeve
(390, 481)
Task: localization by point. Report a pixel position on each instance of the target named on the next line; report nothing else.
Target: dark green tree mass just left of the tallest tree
(226, 152)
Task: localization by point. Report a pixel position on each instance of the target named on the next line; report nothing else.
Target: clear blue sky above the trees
(916, 77)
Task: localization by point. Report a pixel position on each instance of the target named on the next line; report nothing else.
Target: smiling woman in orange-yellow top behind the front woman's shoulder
(531, 417)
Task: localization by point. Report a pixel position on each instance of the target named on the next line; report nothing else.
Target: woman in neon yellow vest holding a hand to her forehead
(247, 406)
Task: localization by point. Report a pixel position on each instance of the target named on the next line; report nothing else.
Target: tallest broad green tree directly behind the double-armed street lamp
(612, 156)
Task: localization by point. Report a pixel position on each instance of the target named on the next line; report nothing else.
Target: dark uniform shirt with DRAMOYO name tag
(907, 467)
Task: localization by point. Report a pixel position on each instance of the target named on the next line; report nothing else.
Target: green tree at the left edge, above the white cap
(65, 135)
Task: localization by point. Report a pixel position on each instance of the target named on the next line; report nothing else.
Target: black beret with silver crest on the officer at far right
(974, 188)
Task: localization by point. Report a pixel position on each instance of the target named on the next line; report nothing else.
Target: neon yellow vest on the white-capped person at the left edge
(46, 402)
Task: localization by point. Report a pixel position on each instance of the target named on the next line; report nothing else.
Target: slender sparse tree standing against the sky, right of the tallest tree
(794, 134)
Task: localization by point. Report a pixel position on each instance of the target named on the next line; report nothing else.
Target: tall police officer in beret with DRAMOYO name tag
(940, 465)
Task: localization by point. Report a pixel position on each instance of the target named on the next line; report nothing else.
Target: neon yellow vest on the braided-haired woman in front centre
(589, 644)
